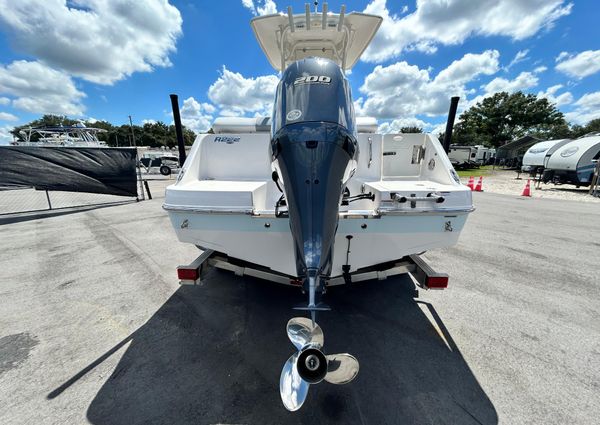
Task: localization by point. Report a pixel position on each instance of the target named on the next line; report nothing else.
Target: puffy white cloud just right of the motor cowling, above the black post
(403, 90)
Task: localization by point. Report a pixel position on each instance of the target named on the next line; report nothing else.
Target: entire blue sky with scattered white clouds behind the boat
(107, 59)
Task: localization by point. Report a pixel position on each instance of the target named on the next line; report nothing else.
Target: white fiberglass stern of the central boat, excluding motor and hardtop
(225, 199)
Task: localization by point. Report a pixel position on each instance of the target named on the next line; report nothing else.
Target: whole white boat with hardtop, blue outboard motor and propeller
(314, 196)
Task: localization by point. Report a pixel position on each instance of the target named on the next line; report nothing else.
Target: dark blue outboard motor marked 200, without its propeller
(314, 153)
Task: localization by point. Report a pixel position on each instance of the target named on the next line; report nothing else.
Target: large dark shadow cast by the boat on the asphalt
(213, 354)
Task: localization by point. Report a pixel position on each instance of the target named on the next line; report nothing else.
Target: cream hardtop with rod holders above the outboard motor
(339, 37)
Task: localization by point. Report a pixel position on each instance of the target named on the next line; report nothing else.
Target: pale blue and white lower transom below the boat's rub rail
(267, 240)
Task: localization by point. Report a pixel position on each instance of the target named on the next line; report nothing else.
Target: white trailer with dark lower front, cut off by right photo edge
(574, 162)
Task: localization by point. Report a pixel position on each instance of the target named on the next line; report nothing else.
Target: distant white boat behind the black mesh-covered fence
(61, 136)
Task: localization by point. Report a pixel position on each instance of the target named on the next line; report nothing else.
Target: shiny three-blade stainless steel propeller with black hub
(309, 365)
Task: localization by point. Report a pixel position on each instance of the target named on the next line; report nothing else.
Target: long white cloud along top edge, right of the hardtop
(453, 21)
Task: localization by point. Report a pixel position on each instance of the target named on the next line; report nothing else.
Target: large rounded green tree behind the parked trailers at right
(504, 117)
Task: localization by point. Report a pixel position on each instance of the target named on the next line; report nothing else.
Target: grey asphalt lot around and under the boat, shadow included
(95, 329)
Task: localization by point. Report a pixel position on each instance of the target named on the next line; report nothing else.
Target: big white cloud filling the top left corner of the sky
(100, 41)
